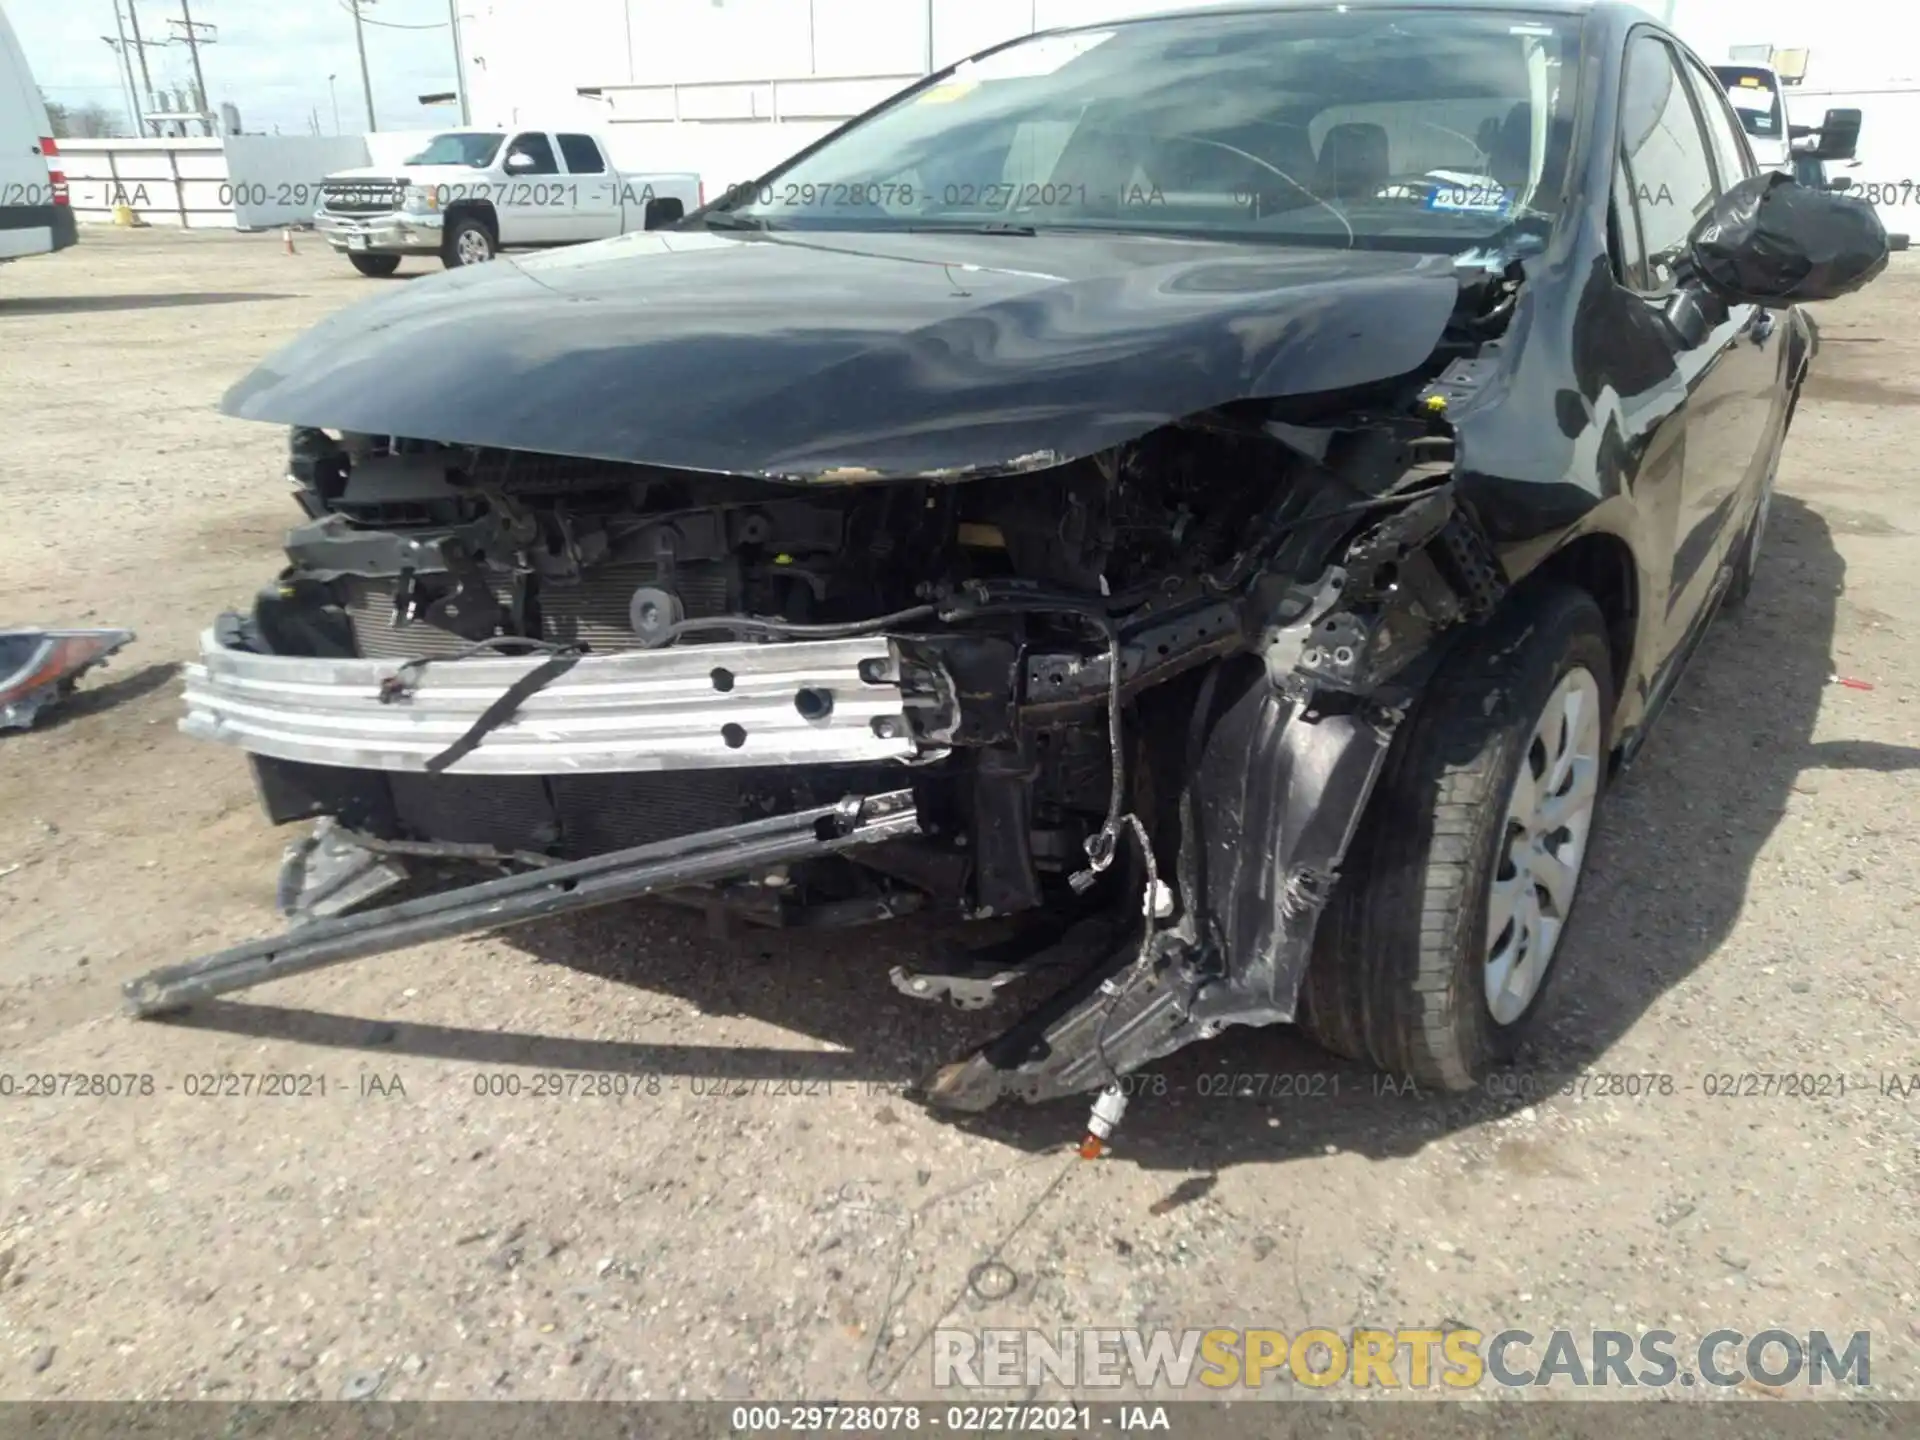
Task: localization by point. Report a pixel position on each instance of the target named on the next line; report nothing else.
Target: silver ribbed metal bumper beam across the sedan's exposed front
(702, 708)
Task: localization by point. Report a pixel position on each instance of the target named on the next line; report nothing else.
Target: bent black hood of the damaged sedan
(852, 356)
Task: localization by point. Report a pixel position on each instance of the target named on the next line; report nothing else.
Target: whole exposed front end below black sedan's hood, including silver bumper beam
(1136, 702)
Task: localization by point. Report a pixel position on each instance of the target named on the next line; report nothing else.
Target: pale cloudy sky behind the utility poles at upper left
(272, 59)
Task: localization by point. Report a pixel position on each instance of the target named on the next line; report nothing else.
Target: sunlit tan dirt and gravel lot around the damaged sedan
(1752, 907)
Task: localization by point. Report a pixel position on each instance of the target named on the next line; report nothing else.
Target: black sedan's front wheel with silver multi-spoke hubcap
(1443, 930)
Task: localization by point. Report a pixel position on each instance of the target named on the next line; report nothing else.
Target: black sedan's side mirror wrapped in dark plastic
(1769, 241)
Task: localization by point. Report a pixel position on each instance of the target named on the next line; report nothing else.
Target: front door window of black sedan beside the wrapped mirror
(1666, 156)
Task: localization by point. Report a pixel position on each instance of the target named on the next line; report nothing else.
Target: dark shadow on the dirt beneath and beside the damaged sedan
(1666, 884)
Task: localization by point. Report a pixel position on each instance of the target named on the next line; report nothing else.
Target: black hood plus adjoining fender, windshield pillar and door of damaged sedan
(869, 356)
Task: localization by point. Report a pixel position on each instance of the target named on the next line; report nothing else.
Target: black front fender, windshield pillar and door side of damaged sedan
(1596, 421)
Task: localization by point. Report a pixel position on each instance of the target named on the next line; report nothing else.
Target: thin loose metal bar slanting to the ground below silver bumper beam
(556, 890)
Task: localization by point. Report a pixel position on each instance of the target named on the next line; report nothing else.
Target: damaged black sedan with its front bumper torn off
(1218, 491)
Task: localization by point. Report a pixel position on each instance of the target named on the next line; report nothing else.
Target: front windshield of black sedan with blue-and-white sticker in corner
(1422, 130)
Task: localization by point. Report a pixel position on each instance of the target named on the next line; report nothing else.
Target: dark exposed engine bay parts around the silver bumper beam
(1007, 594)
